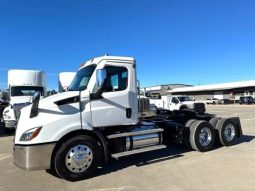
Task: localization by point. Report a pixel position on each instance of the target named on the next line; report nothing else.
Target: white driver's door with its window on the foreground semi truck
(116, 101)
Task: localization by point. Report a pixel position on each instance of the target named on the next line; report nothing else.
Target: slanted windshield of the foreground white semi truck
(82, 78)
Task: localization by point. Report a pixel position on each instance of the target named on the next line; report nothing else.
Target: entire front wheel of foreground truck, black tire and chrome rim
(78, 158)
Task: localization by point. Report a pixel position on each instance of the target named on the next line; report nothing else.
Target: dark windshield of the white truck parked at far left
(26, 90)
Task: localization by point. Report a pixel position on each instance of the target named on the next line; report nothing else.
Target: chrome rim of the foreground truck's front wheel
(79, 158)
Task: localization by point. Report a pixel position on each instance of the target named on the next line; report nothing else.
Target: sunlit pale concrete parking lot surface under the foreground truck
(174, 168)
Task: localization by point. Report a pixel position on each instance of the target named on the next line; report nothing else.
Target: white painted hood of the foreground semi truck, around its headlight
(55, 120)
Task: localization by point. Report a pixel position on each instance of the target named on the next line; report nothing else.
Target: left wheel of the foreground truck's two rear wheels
(195, 130)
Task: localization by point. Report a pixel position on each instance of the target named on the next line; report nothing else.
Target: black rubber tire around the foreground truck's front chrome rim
(61, 155)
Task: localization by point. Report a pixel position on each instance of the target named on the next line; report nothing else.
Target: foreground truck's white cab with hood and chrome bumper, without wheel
(102, 95)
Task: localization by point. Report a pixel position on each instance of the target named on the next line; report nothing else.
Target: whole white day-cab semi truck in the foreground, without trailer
(102, 116)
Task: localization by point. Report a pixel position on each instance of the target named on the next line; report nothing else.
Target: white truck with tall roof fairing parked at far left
(22, 84)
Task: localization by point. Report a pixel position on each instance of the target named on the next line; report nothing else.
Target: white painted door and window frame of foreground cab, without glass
(111, 109)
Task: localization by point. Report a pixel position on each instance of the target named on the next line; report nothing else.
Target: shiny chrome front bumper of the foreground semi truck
(33, 157)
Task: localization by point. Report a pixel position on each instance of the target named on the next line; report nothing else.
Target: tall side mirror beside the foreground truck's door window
(100, 84)
